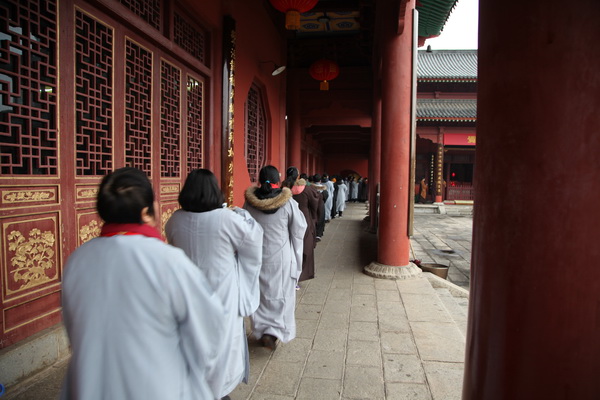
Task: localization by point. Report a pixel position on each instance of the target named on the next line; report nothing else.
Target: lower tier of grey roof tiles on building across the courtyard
(446, 110)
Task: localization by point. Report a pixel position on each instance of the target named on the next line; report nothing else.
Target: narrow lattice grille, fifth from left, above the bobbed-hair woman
(195, 122)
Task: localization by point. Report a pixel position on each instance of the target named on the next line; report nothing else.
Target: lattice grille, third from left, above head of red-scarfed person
(138, 106)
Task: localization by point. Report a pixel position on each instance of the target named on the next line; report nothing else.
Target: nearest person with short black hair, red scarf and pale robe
(142, 320)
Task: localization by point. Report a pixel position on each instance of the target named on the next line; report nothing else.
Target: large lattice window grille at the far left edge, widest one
(28, 81)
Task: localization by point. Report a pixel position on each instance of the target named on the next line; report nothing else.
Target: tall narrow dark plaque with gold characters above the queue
(228, 92)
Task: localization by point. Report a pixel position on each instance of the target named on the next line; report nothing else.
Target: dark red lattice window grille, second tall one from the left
(93, 97)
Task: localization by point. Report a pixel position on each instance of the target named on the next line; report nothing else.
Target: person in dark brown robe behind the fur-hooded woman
(308, 199)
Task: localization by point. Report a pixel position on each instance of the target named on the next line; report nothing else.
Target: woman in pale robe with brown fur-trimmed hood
(284, 227)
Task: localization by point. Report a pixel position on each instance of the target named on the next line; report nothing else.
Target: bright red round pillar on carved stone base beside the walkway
(396, 83)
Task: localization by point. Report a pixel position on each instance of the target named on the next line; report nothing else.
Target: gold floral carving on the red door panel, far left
(33, 257)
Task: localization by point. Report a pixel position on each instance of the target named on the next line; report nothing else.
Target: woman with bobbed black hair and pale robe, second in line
(226, 244)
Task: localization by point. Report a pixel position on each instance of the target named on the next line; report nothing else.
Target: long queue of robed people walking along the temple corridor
(147, 319)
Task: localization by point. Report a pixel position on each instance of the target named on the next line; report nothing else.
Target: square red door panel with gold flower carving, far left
(30, 255)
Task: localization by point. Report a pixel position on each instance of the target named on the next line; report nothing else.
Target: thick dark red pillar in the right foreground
(534, 313)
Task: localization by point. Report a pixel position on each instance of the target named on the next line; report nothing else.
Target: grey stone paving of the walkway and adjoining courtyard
(360, 337)
